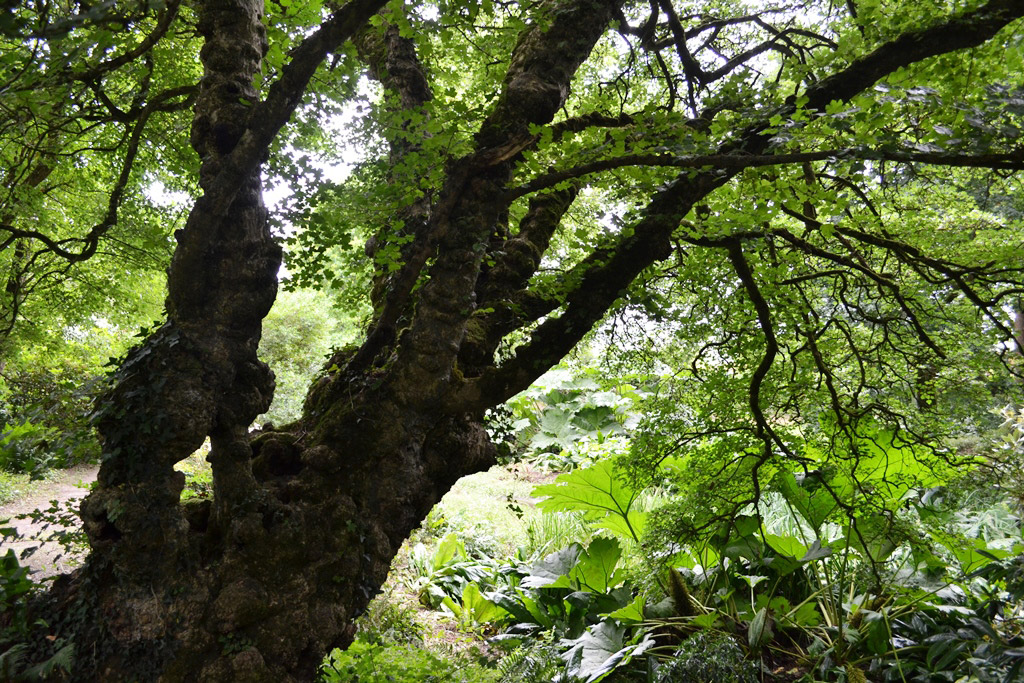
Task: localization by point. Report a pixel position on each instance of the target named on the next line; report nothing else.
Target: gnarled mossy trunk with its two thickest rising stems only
(305, 522)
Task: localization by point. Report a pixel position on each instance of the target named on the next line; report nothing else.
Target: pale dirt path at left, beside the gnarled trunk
(51, 560)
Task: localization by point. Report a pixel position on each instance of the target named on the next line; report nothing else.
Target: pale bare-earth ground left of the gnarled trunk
(67, 490)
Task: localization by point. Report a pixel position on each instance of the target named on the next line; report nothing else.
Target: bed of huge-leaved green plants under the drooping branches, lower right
(857, 568)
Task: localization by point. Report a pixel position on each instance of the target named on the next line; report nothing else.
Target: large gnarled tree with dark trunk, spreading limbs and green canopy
(780, 163)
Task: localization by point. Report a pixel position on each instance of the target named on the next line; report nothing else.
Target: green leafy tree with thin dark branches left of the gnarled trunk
(86, 133)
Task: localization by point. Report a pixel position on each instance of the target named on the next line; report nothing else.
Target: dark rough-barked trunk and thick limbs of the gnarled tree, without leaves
(262, 582)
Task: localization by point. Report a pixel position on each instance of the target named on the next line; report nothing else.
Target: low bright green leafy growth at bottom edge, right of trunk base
(366, 663)
